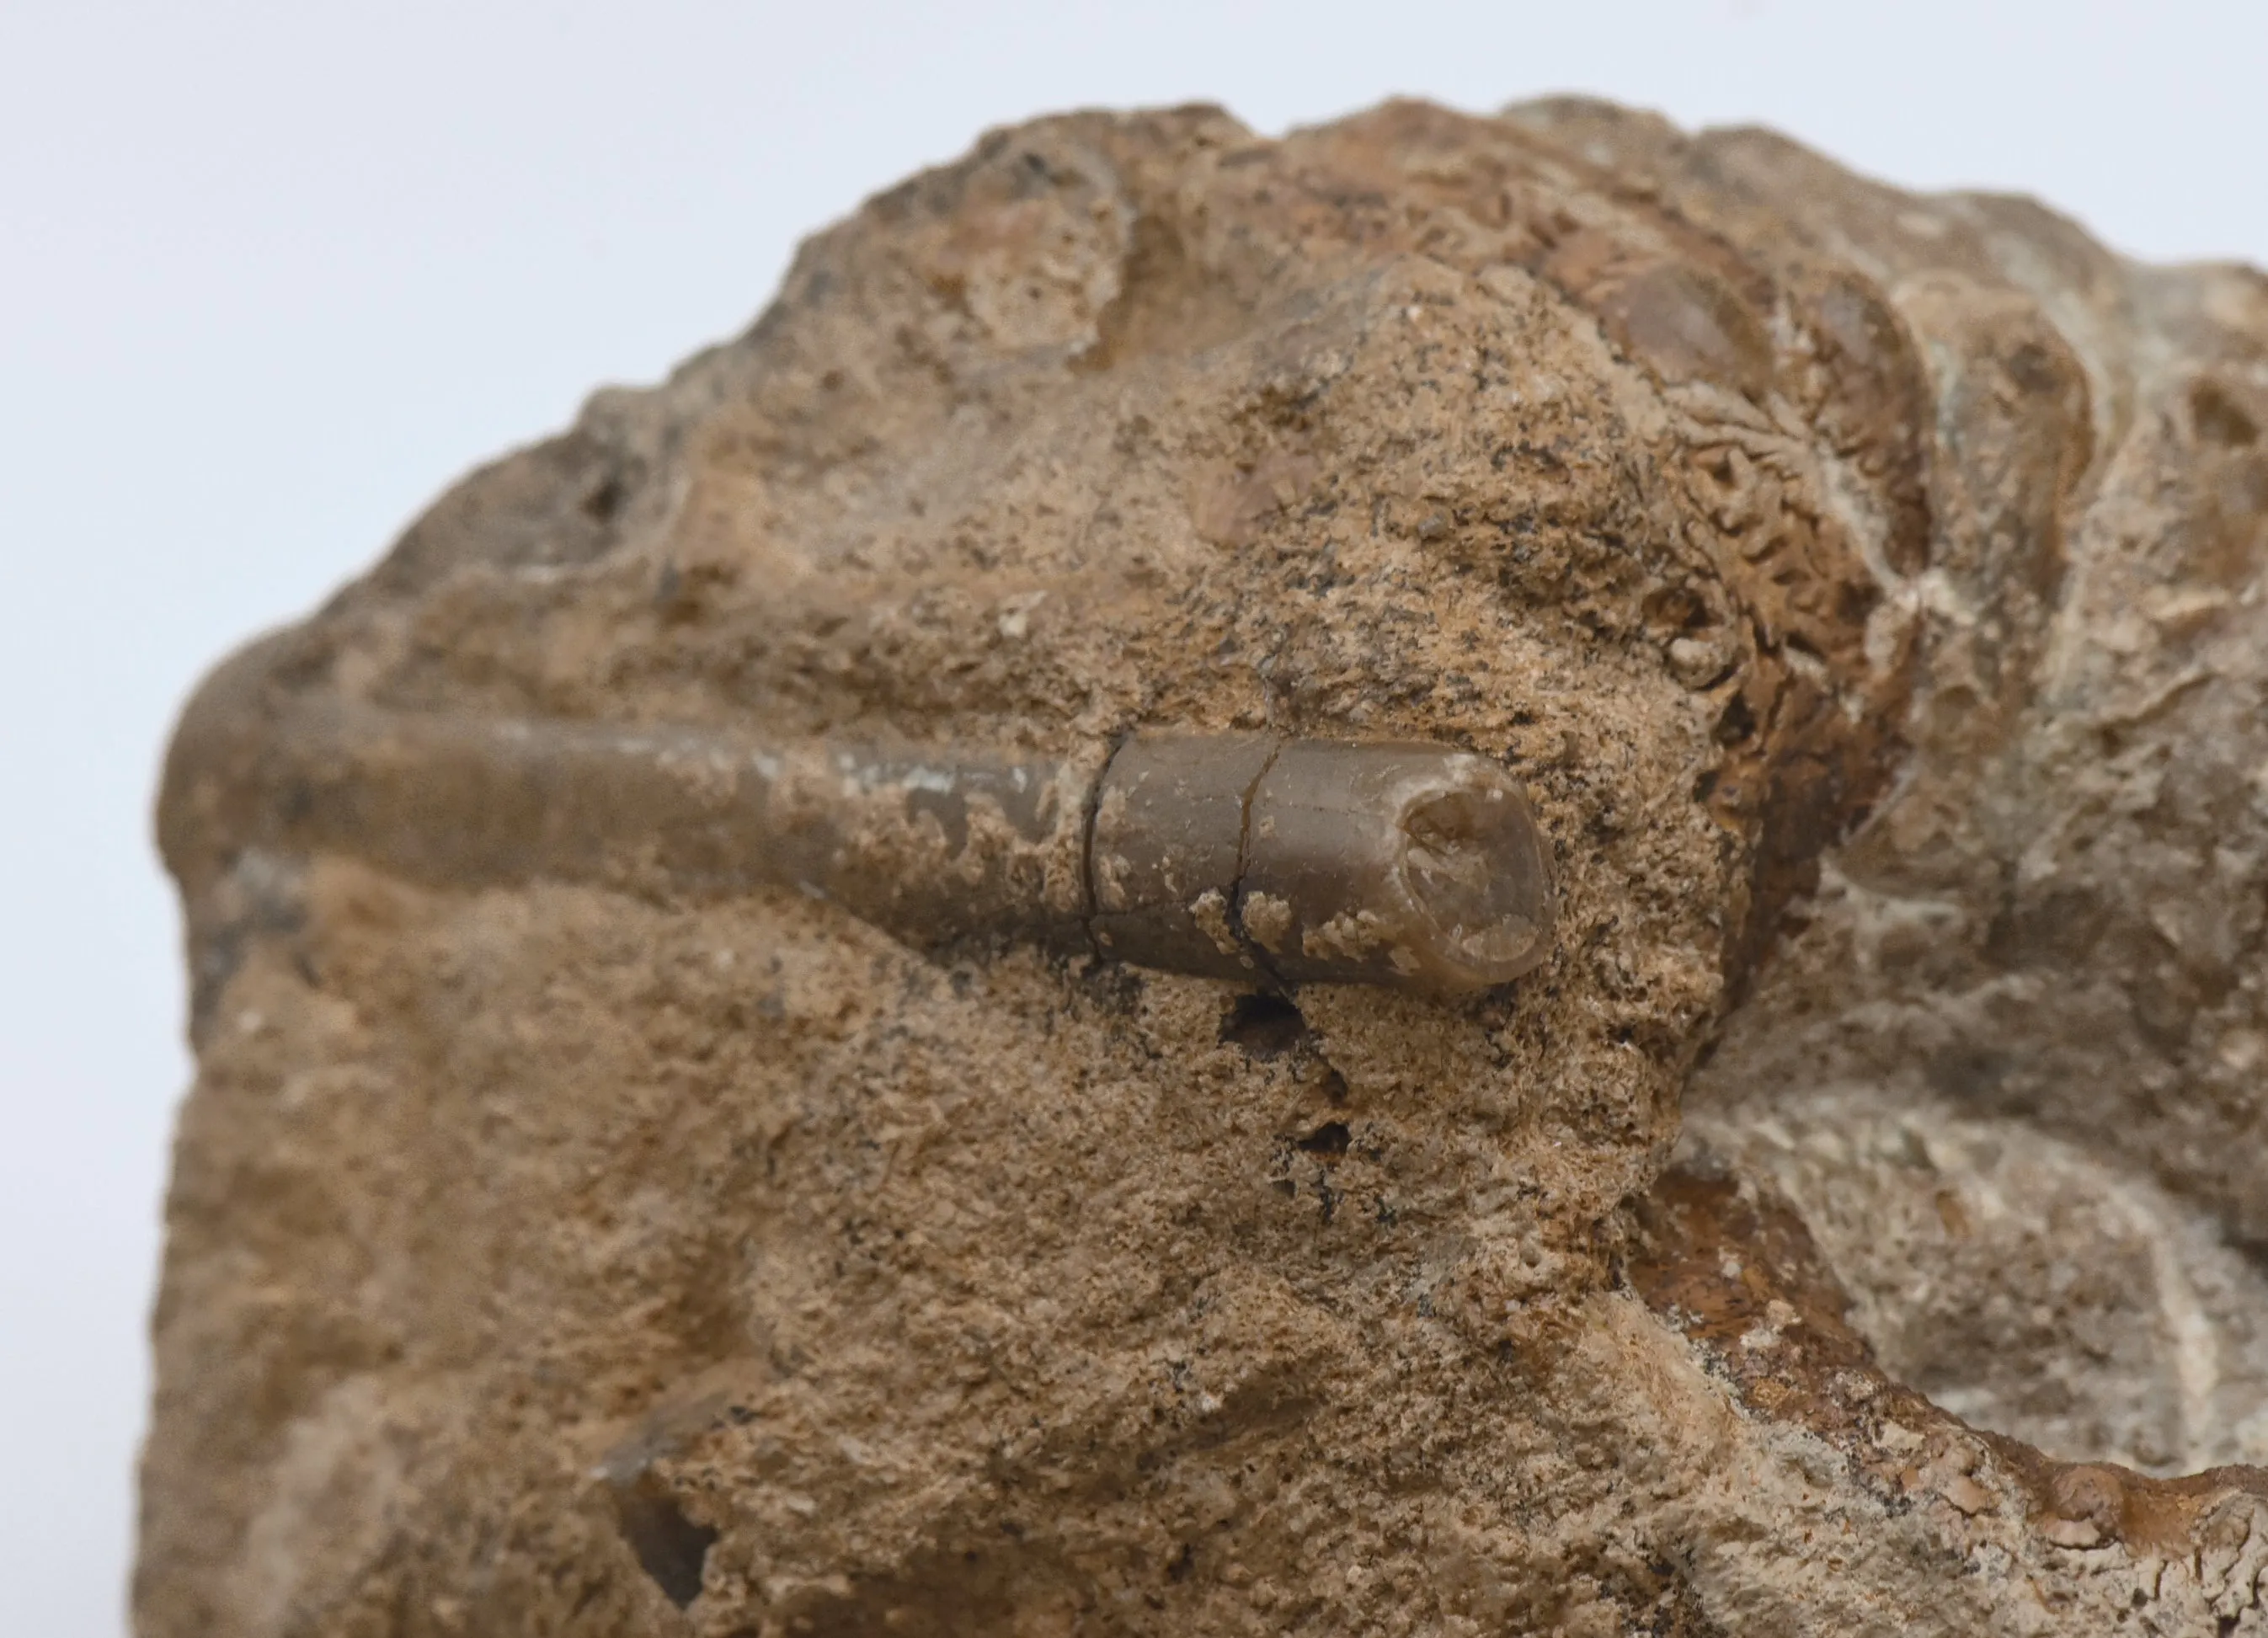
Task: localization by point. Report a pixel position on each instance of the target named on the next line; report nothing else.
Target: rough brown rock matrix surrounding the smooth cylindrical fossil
(1854, 1228)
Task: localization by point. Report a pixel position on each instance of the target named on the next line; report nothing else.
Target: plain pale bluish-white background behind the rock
(276, 273)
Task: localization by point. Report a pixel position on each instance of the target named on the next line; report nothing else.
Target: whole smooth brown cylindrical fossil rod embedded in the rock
(1233, 856)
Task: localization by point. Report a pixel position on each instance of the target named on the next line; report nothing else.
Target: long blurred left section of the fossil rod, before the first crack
(926, 847)
